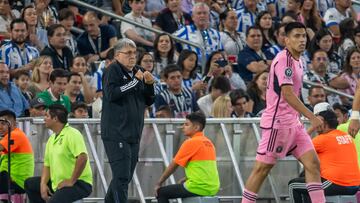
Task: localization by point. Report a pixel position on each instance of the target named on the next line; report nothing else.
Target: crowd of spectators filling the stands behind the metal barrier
(44, 61)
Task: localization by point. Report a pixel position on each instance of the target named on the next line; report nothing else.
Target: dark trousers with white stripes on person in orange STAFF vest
(299, 193)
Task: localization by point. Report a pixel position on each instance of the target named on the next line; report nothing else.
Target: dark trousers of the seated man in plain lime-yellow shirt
(80, 190)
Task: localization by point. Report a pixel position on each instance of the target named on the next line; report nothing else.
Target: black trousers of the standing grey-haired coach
(122, 158)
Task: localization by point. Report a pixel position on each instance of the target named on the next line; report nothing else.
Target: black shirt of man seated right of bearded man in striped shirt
(63, 61)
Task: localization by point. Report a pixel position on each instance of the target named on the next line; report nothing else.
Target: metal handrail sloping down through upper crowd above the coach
(107, 13)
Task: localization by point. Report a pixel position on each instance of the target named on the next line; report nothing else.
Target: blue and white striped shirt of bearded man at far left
(14, 57)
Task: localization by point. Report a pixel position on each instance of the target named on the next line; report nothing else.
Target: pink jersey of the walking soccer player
(284, 70)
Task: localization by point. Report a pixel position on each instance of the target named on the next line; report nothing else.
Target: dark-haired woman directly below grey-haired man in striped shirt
(191, 78)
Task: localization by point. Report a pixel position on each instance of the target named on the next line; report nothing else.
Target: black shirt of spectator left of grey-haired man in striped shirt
(166, 21)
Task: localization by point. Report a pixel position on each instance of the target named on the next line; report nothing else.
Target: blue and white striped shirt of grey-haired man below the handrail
(209, 39)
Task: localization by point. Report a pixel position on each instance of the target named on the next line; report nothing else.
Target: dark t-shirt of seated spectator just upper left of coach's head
(86, 47)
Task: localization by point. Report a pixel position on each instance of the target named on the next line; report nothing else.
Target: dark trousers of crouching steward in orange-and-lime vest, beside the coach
(172, 192)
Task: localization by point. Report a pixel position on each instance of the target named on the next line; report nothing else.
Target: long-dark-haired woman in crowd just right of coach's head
(164, 52)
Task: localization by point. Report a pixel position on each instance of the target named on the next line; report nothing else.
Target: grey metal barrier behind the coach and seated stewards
(235, 141)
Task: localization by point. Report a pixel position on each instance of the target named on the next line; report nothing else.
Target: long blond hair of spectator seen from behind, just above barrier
(221, 107)
